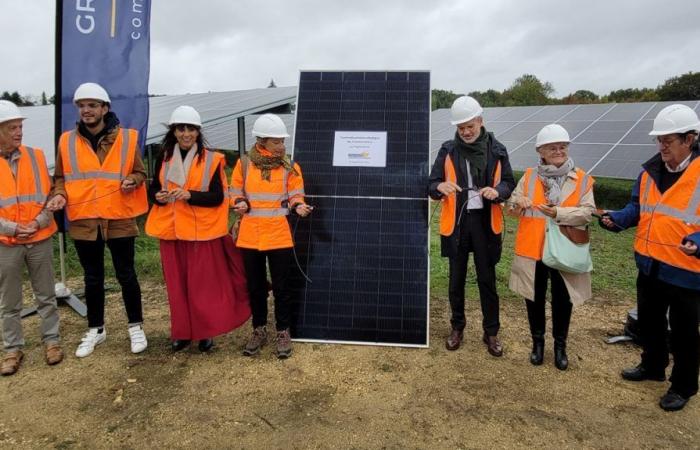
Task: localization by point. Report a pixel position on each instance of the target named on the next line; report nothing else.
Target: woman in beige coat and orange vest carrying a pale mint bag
(558, 190)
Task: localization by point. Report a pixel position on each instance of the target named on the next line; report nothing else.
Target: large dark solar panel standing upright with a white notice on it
(365, 246)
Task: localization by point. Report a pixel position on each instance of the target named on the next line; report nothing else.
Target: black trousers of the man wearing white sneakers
(91, 255)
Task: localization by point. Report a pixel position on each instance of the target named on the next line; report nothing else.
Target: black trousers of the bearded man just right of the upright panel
(473, 239)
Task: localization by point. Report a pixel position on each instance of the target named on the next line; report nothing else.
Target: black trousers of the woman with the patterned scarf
(280, 261)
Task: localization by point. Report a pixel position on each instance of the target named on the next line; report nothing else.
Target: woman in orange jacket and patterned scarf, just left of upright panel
(265, 188)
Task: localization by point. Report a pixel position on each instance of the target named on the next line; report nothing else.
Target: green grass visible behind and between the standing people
(614, 269)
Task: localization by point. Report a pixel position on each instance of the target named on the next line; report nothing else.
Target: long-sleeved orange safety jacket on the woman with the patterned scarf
(264, 226)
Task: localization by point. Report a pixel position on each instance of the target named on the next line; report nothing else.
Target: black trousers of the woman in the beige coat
(561, 304)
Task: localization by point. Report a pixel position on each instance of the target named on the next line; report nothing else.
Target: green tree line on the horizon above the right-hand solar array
(528, 90)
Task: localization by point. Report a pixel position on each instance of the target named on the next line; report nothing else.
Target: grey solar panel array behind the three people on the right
(607, 140)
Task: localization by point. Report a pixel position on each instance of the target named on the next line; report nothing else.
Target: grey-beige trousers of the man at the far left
(38, 259)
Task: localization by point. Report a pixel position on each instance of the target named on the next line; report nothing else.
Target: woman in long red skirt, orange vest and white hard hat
(203, 270)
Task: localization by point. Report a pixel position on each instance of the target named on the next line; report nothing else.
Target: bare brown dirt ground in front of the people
(337, 396)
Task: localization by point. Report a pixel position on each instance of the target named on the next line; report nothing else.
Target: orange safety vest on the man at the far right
(665, 219)
